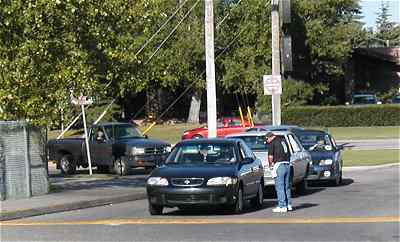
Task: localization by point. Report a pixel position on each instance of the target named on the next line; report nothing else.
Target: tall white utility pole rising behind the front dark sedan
(210, 69)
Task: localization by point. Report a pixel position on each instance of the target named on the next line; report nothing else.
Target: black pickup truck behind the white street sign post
(113, 147)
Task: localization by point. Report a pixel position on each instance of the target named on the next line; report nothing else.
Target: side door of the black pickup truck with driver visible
(101, 149)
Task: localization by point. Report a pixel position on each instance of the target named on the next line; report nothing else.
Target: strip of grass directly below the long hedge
(376, 132)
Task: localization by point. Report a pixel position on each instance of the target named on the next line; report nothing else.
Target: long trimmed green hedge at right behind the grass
(343, 116)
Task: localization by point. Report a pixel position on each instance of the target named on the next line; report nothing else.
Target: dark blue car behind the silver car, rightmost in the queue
(327, 161)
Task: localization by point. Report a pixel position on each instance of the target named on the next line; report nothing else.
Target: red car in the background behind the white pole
(226, 127)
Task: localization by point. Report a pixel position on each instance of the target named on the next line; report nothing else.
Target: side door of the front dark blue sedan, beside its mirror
(246, 171)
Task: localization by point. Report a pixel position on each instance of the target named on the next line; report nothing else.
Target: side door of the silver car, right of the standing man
(298, 158)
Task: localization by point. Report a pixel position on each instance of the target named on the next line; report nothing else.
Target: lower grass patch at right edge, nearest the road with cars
(370, 157)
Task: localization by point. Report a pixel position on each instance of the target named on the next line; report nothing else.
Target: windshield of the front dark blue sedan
(214, 153)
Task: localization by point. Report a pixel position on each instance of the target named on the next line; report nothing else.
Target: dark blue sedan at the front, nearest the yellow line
(207, 172)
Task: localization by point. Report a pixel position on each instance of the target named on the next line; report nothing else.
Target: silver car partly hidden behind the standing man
(300, 158)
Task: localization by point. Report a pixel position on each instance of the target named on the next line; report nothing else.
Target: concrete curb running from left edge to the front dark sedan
(70, 206)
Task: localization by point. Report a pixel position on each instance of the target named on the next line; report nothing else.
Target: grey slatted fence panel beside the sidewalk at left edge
(23, 160)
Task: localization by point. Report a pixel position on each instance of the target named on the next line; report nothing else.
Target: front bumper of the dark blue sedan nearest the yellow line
(171, 197)
